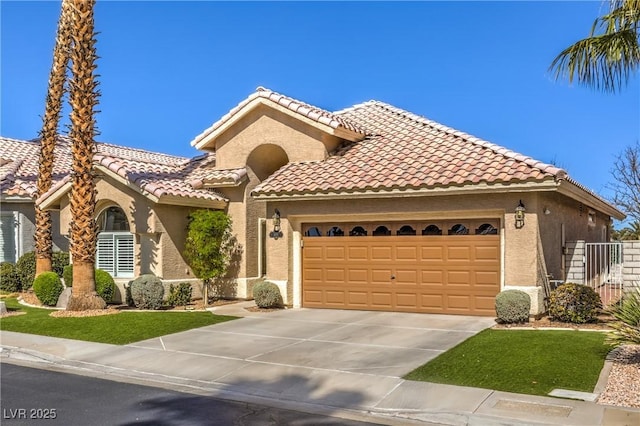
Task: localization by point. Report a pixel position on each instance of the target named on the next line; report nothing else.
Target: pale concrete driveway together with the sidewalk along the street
(340, 363)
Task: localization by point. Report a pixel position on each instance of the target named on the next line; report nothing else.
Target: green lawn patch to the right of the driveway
(522, 361)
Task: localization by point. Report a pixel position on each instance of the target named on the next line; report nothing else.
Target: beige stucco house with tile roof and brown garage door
(371, 207)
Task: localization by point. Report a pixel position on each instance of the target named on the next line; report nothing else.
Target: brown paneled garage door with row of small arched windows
(395, 269)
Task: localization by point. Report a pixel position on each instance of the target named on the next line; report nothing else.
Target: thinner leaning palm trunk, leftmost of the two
(48, 134)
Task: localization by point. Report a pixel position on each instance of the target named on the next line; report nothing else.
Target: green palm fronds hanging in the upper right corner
(610, 55)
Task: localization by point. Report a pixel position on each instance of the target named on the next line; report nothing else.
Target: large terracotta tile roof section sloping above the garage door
(408, 152)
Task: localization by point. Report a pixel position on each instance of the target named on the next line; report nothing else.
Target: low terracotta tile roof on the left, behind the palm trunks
(153, 173)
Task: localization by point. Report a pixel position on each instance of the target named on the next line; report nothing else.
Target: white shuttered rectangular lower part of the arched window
(115, 253)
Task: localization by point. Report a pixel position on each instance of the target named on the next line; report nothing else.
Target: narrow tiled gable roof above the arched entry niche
(300, 108)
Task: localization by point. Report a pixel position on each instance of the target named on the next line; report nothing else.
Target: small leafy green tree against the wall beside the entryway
(209, 246)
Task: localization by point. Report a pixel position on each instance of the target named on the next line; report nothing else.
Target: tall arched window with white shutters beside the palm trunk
(115, 249)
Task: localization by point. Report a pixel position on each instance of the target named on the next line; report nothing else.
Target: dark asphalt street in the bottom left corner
(30, 396)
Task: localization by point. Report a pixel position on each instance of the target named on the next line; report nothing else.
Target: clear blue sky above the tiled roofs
(168, 70)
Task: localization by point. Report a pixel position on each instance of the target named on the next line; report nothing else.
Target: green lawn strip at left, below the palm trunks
(119, 329)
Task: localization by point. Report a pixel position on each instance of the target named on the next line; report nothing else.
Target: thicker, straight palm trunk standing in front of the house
(83, 97)
